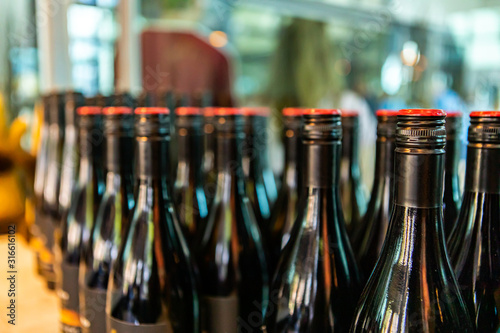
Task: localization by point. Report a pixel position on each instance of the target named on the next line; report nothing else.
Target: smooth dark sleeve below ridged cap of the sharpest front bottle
(419, 177)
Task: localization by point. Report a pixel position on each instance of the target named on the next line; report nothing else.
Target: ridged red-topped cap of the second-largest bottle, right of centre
(322, 125)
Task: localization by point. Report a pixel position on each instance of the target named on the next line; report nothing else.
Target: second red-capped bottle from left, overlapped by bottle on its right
(111, 221)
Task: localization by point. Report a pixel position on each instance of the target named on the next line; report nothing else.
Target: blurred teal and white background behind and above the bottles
(351, 54)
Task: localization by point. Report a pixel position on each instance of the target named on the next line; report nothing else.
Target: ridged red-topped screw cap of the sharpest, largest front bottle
(421, 128)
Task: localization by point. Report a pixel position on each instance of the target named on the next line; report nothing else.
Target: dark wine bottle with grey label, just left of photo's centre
(231, 260)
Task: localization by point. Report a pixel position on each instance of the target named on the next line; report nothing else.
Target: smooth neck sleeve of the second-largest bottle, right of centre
(322, 164)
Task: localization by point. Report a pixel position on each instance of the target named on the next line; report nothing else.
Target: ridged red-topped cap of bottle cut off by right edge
(484, 127)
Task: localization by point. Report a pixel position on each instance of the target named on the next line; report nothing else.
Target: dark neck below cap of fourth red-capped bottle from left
(189, 168)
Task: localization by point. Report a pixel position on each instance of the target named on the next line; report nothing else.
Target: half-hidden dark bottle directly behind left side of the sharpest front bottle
(369, 238)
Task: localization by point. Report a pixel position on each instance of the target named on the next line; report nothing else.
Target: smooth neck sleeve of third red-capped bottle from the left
(153, 158)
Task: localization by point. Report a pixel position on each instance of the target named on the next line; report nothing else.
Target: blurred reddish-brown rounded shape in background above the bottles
(187, 64)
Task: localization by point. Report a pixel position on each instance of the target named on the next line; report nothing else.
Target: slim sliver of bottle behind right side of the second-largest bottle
(352, 193)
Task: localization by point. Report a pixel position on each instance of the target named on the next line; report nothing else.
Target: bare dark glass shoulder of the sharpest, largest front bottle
(413, 284)
